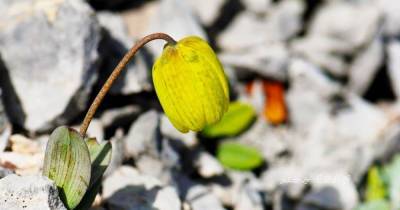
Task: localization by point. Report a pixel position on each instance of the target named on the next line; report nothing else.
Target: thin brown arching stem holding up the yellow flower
(114, 75)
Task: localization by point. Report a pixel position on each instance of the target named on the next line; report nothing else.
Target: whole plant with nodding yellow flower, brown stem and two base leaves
(188, 96)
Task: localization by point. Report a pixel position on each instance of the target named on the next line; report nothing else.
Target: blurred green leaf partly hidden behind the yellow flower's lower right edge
(236, 120)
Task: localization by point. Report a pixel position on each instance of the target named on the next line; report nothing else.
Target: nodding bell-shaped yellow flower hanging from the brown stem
(191, 85)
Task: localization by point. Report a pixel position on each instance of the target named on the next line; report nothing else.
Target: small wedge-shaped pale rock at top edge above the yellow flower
(207, 10)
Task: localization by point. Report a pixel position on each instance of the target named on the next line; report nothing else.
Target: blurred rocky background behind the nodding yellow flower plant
(314, 122)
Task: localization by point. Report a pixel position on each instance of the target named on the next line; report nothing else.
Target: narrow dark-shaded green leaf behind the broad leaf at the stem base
(100, 155)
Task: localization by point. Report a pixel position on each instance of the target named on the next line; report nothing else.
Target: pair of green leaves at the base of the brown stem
(76, 165)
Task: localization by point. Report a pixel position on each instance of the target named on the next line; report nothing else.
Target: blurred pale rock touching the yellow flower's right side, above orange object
(267, 60)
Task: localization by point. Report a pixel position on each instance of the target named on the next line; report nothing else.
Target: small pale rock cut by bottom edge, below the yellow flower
(199, 198)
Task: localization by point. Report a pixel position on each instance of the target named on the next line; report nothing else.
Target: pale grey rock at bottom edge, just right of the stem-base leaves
(127, 189)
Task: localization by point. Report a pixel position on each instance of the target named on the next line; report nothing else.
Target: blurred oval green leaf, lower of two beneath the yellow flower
(238, 156)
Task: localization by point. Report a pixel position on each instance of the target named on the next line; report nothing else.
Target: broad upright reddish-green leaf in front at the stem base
(67, 163)
